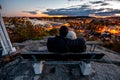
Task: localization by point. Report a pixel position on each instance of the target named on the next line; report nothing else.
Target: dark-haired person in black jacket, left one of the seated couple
(58, 43)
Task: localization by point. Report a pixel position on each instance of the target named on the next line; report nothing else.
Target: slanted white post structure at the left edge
(5, 41)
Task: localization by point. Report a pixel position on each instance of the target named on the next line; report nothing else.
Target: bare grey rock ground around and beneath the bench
(107, 68)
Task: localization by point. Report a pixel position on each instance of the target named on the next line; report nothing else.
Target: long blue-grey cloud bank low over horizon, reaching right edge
(83, 10)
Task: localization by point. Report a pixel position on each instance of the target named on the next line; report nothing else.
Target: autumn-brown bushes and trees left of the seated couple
(25, 30)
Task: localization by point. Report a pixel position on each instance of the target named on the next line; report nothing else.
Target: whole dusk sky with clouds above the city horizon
(38, 8)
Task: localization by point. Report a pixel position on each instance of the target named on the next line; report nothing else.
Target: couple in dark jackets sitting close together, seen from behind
(66, 42)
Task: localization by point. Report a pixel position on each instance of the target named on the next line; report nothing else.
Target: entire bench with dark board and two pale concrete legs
(45, 57)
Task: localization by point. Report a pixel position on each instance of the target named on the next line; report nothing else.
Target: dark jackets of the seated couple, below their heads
(59, 44)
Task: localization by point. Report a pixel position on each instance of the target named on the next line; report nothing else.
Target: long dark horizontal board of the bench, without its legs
(69, 56)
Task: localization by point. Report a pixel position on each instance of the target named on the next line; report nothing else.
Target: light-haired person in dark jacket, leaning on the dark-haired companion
(75, 44)
